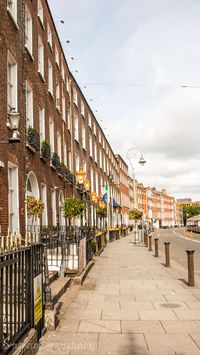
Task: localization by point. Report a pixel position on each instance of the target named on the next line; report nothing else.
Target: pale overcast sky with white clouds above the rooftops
(134, 58)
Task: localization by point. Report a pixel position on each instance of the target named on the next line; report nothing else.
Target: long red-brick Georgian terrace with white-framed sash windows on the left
(58, 131)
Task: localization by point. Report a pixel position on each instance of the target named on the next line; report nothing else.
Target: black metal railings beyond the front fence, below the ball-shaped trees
(62, 244)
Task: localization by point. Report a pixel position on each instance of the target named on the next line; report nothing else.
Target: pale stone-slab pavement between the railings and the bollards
(129, 304)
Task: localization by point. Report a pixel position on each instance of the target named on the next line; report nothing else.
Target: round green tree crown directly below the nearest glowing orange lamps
(73, 207)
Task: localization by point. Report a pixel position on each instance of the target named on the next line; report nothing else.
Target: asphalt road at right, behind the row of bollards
(180, 241)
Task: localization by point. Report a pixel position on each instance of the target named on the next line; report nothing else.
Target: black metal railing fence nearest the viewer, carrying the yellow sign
(17, 272)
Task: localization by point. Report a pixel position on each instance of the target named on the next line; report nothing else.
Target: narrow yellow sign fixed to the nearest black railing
(37, 298)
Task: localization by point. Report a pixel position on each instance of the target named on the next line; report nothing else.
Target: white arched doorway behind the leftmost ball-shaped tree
(32, 189)
